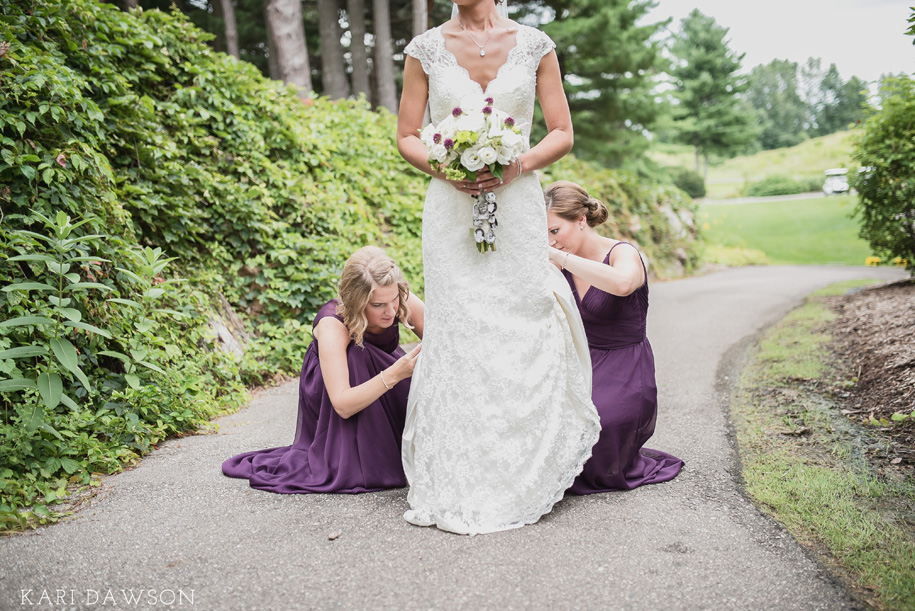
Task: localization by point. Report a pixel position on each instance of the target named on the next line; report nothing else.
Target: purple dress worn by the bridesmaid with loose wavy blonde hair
(330, 453)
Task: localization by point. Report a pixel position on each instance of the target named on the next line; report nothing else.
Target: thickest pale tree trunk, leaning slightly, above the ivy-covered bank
(284, 18)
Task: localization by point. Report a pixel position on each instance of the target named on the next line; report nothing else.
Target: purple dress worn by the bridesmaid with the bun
(624, 391)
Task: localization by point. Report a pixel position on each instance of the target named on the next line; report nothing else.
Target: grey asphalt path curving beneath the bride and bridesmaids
(176, 526)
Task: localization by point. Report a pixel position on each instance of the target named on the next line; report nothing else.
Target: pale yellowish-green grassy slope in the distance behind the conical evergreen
(727, 178)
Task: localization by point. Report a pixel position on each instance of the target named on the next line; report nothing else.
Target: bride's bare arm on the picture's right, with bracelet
(560, 138)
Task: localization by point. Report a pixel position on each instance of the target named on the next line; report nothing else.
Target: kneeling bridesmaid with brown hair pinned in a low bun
(610, 284)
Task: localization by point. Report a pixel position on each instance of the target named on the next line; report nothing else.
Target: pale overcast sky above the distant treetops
(863, 38)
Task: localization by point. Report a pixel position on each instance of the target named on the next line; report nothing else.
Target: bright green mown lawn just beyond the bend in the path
(812, 231)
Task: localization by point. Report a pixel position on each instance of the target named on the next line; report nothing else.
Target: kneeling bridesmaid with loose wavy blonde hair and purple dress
(352, 391)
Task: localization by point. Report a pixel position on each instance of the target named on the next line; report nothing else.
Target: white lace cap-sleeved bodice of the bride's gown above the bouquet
(513, 89)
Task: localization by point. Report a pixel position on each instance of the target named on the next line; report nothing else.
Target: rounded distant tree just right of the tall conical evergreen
(782, 114)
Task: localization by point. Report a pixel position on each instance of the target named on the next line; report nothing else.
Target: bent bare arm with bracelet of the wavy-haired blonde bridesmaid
(333, 338)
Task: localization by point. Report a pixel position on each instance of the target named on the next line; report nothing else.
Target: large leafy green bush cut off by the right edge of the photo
(886, 186)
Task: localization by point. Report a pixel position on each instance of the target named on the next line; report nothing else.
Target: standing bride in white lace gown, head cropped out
(499, 419)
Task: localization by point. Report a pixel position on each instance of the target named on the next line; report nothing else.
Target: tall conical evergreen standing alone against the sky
(709, 115)
